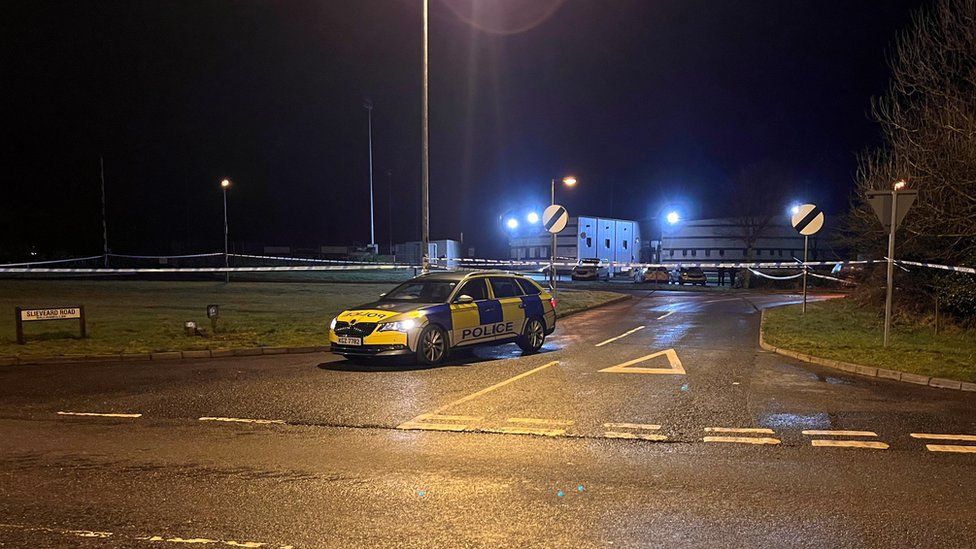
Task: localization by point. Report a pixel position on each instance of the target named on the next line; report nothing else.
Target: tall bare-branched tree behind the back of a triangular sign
(928, 121)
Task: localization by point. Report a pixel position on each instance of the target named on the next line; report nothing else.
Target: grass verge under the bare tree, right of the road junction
(840, 329)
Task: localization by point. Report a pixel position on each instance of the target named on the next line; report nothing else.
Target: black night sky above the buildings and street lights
(647, 102)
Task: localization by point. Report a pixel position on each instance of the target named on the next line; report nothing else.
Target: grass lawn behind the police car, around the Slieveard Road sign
(144, 316)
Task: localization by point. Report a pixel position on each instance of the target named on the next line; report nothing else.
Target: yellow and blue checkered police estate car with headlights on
(431, 314)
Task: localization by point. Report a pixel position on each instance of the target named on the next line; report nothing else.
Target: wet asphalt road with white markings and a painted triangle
(704, 446)
